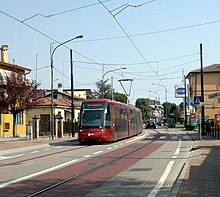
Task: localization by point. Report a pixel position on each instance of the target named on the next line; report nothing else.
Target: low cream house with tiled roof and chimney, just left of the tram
(62, 109)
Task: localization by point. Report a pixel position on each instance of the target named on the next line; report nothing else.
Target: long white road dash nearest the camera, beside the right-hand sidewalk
(160, 183)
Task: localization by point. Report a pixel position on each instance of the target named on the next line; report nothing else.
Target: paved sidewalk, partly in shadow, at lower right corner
(201, 176)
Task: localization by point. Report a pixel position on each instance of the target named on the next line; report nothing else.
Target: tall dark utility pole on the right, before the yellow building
(202, 91)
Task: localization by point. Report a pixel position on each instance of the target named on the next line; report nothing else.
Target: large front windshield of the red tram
(95, 115)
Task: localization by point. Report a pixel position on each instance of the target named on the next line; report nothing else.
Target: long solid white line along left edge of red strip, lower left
(37, 173)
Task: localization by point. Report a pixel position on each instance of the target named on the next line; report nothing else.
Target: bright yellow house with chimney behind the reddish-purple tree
(6, 120)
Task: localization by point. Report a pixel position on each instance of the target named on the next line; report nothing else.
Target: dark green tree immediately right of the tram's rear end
(143, 105)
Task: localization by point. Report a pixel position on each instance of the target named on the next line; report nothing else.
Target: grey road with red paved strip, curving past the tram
(145, 165)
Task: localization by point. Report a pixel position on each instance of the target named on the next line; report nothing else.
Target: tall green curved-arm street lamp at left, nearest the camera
(51, 67)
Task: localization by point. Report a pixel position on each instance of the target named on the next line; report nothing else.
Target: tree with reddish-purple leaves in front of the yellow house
(17, 94)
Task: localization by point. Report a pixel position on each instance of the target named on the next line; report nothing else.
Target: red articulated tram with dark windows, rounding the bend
(104, 120)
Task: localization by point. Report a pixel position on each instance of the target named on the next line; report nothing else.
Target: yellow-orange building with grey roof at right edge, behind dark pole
(211, 76)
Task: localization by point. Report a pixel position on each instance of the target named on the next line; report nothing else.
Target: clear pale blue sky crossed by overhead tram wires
(157, 41)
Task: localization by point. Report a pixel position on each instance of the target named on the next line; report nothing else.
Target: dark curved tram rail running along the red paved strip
(98, 166)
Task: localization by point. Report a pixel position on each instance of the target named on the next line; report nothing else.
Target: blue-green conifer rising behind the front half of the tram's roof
(104, 90)
